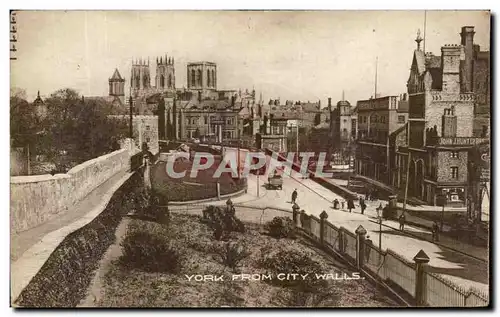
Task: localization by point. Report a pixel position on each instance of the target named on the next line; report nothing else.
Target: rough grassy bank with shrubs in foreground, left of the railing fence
(157, 257)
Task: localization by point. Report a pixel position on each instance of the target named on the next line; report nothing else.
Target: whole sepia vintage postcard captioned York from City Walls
(250, 159)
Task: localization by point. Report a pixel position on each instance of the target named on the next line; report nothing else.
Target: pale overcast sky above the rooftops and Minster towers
(297, 55)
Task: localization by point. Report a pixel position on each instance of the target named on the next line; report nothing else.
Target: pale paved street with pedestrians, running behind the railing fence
(314, 198)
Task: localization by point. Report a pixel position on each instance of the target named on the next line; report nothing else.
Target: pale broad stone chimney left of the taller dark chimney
(450, 64)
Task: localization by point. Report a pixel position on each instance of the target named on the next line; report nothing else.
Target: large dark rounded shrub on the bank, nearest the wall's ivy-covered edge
(150, 251)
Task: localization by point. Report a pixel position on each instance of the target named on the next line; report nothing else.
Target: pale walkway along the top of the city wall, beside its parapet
(30, 249)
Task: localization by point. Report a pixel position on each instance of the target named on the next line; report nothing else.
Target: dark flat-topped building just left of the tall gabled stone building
(378, 120)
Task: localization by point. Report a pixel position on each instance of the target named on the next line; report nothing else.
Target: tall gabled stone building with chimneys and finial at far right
(442, 99)
